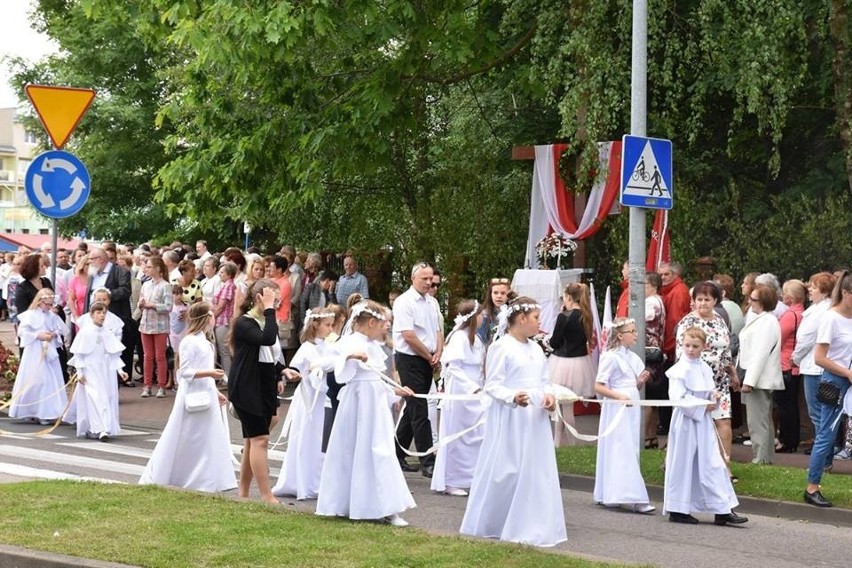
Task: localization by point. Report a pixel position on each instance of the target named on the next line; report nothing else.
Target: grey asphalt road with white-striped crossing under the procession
(592, 531)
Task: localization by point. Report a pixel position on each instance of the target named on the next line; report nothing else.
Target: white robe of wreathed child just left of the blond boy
(618, 479)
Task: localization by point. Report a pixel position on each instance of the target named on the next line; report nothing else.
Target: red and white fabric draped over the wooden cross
(552, 207)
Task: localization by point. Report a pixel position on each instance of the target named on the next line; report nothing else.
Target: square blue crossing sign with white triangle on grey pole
(646, 172)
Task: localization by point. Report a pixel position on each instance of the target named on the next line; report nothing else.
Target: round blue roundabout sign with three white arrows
(57, 184)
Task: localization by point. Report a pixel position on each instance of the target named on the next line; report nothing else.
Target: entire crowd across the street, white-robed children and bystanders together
(371, 379)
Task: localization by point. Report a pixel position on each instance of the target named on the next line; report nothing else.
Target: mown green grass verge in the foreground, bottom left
(155, 527)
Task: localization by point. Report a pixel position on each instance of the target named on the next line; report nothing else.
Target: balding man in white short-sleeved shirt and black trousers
(418, 341)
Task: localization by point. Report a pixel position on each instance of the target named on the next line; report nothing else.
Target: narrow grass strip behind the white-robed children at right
(763, 481)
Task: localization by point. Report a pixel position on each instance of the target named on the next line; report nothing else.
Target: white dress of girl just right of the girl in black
(302, 466)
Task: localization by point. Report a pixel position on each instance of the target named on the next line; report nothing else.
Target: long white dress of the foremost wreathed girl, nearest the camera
(515, 495)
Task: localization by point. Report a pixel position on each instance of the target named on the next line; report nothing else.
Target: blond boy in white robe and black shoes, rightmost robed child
(697, 479)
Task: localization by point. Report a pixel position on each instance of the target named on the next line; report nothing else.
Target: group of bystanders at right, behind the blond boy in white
(784, 341)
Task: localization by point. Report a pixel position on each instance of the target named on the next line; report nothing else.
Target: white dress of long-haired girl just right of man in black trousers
(456, 462)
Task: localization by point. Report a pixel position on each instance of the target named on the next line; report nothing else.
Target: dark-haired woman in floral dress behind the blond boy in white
(717, 353)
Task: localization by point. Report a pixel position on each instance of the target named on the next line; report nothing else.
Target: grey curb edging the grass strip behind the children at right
(769, 508)
